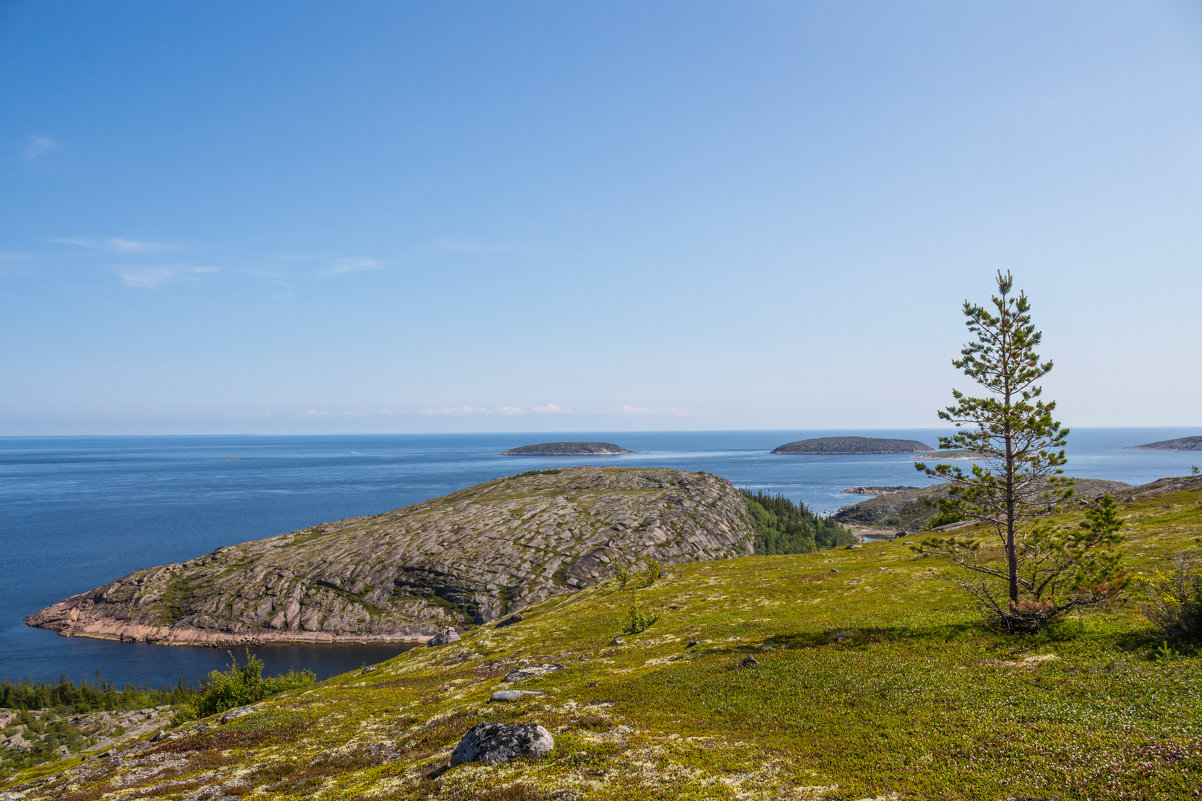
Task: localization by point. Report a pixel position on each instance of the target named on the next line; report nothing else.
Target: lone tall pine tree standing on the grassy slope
(1045, 571)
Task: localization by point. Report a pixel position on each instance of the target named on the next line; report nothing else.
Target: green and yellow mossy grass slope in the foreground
(872, 683)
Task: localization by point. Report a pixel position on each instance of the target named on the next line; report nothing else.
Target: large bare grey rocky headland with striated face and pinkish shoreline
(465, 559)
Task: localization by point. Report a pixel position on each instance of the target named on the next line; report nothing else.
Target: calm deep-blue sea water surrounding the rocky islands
(76, 513)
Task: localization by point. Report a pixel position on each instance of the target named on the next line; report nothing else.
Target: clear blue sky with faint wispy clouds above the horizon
(402, 217)
